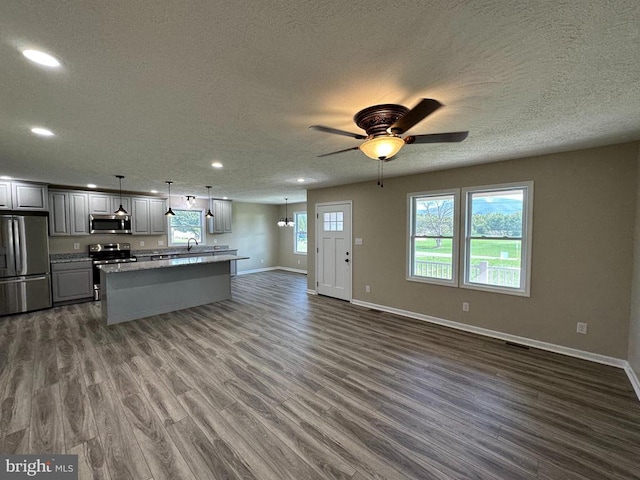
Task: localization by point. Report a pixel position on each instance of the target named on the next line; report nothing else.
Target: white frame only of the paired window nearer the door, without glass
(455, 248)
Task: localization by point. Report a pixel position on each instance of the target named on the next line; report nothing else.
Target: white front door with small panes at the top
(333, 255)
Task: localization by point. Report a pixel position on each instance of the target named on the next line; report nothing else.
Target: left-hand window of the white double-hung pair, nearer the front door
(433, 248)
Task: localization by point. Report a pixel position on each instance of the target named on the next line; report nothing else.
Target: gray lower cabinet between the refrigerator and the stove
(72, 281)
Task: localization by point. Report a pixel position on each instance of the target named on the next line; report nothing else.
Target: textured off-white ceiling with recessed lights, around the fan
(157, 90)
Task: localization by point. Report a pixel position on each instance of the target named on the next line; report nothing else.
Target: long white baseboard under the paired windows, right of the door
(551, 347)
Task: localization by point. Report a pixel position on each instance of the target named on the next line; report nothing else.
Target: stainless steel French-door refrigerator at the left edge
(25, 281)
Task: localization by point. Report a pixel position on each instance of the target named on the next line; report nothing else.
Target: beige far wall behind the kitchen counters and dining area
(255, 234)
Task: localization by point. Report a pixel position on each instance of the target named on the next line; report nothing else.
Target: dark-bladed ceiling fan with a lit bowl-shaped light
(385, 123)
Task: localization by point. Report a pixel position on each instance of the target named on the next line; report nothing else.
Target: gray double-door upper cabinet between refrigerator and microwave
(69, 213)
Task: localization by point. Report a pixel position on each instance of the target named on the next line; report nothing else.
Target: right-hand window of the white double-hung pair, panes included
(497, 244)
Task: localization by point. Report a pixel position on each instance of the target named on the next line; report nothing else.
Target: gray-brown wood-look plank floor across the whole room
(277, 384)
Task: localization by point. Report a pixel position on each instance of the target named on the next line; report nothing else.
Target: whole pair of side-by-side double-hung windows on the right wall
(494, 244)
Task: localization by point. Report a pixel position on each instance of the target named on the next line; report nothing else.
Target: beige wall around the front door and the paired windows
(584, 213)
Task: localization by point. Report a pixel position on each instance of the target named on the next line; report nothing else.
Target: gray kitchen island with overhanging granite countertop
(142, 289)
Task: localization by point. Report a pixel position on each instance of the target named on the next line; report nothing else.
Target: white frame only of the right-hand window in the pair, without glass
(527, 235)
